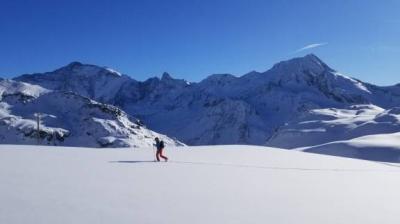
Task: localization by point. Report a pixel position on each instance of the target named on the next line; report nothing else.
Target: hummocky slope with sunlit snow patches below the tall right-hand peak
(320, 126)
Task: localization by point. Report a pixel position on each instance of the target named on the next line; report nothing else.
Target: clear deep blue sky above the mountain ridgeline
(192, 39)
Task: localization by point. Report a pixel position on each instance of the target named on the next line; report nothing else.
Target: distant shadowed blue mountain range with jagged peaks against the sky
(223, 109)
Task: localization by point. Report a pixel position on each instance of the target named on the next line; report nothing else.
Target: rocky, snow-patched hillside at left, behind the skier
(67, 119)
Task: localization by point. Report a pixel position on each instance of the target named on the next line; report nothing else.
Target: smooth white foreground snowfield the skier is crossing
(219, 184)
